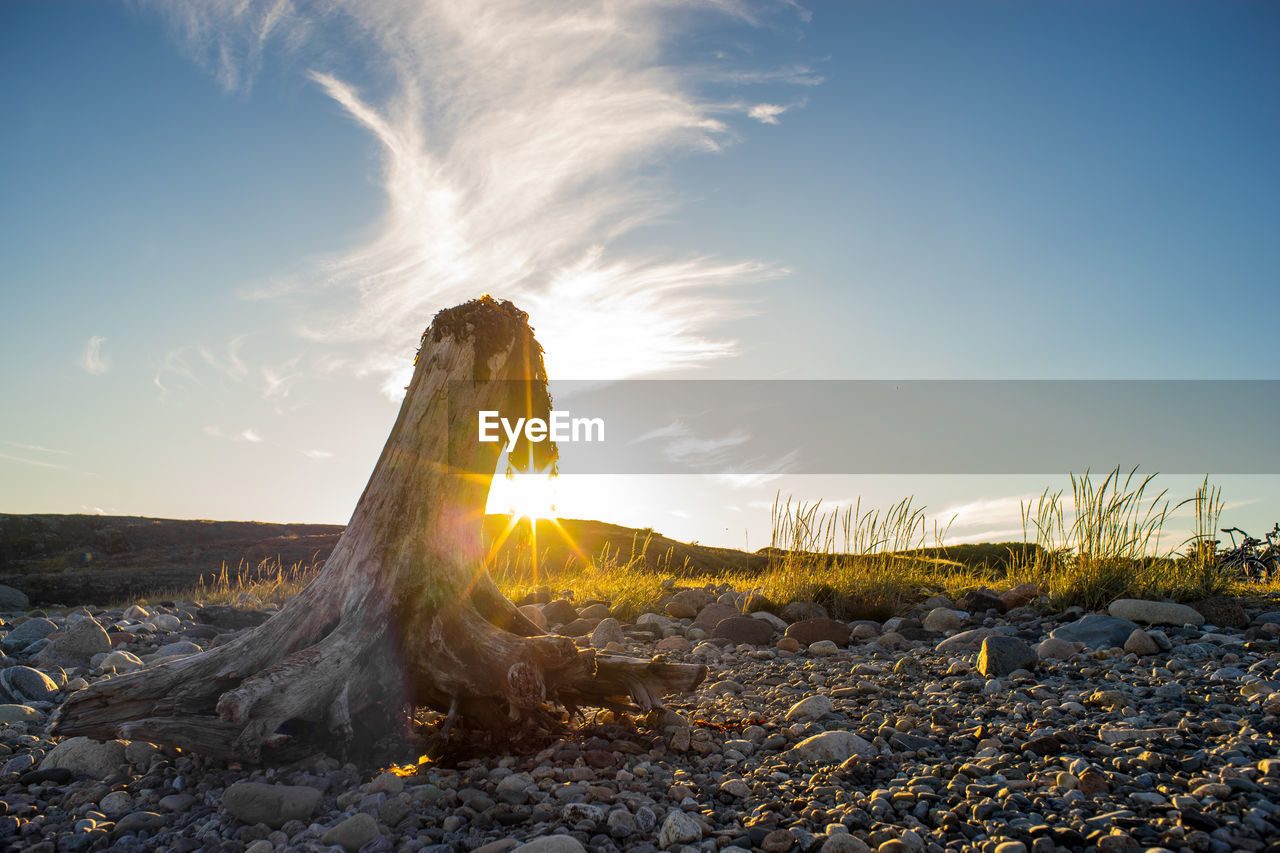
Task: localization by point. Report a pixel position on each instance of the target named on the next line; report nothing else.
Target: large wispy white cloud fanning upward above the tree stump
(516, 144)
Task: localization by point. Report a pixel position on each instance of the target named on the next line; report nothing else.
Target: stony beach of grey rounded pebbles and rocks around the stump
(988, 724)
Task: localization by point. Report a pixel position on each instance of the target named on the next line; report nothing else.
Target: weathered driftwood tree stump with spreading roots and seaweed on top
(404, 613)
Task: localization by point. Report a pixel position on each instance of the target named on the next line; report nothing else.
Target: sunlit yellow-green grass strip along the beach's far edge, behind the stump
(1103, 542)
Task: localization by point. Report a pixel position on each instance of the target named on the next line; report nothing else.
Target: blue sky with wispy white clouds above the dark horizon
(225, 226)
